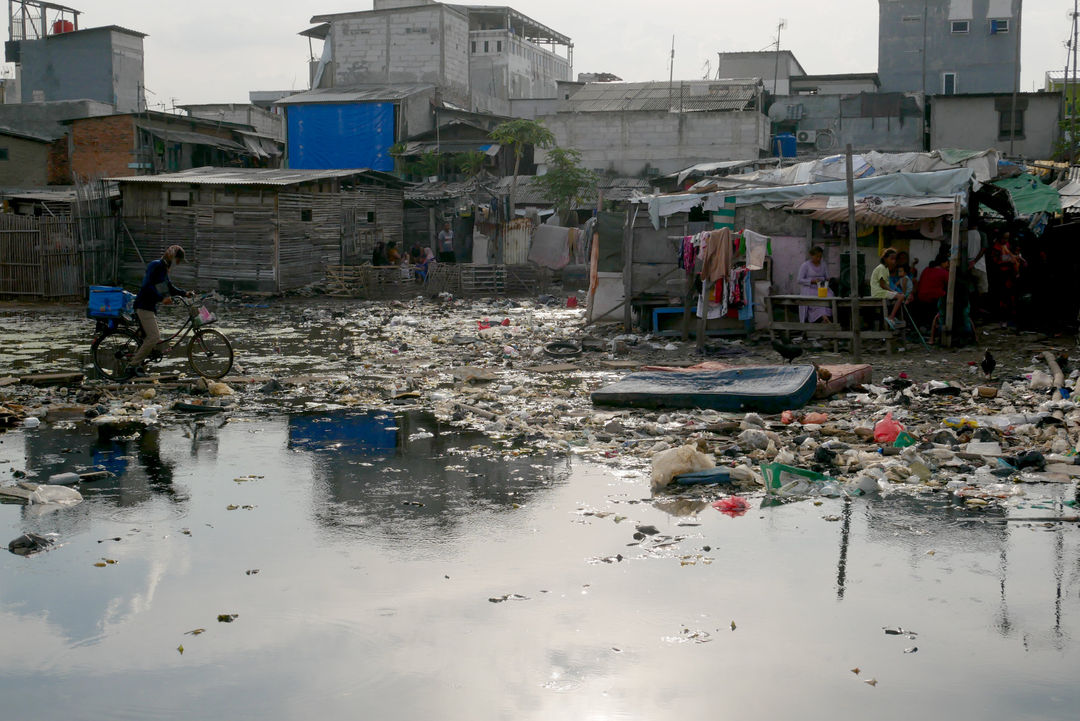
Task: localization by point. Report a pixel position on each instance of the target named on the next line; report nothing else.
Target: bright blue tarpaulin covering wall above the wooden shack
(329, 137)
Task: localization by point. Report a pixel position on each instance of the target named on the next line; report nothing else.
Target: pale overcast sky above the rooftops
(217, 51)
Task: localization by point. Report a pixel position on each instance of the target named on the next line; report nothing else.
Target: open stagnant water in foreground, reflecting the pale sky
(382, 541)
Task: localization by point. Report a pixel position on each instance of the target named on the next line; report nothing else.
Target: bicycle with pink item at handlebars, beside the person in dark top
(210, 352)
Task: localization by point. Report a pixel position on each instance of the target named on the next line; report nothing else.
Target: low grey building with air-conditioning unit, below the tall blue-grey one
(886, 123)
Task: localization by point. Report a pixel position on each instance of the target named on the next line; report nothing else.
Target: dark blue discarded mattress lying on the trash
(765, 389)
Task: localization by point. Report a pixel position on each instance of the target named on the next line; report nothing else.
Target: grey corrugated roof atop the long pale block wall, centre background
(686, 97)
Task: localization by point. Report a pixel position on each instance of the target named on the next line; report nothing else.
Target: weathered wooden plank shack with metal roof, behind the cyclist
(249, 230)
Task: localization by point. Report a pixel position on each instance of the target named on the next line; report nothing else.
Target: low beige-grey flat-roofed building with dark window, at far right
(981, 121)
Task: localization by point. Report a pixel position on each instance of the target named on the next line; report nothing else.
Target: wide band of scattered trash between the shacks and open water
(522, 373)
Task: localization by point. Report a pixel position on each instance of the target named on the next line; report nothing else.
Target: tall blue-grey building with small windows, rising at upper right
(949, 47)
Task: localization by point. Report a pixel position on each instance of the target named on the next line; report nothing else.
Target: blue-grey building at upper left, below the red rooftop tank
(101, 64)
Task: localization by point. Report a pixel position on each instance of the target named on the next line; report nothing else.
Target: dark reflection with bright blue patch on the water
(409, 475)
